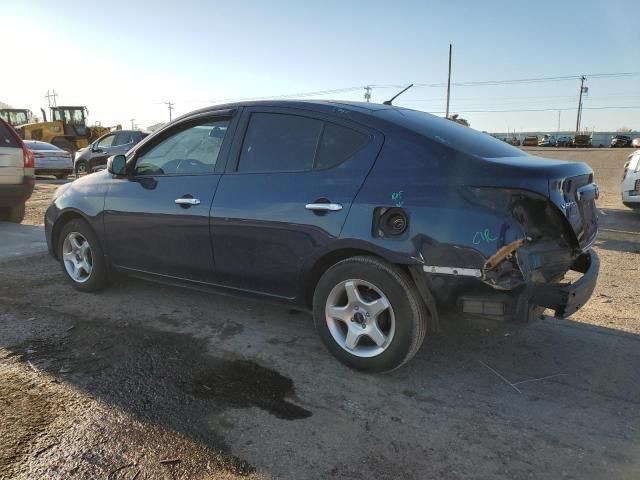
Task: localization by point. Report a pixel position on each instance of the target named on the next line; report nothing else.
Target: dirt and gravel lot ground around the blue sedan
(147, 381)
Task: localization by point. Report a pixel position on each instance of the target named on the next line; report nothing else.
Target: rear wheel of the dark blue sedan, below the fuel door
(369, 314)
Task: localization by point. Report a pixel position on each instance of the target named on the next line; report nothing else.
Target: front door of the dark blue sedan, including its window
(157, 217)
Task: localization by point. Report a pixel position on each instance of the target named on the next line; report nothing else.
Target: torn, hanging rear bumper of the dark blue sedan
(567, 298)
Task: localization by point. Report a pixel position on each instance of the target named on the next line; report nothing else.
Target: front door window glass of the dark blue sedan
(189, 151)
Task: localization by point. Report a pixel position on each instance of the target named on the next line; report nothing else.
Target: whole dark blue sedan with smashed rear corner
(332, 207)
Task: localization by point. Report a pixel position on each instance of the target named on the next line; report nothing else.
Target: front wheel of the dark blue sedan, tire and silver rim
(81, 256)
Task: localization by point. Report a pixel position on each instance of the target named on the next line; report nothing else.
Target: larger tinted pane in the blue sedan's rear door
(279, 142)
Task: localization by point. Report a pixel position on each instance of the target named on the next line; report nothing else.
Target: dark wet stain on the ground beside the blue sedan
(98, 356)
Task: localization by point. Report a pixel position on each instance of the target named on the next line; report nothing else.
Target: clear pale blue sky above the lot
(124, 58)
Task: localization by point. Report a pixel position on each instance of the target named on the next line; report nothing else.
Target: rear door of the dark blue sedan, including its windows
(286, 192)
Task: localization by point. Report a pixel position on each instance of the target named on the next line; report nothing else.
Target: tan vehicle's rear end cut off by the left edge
(17, 176)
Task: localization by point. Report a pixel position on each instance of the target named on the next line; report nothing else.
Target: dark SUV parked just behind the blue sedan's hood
(94, 157)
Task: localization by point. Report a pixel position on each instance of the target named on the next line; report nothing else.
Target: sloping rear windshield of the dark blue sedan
(451, 134)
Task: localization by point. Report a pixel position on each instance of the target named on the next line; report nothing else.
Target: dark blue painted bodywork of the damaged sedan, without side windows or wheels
(469, 201)
